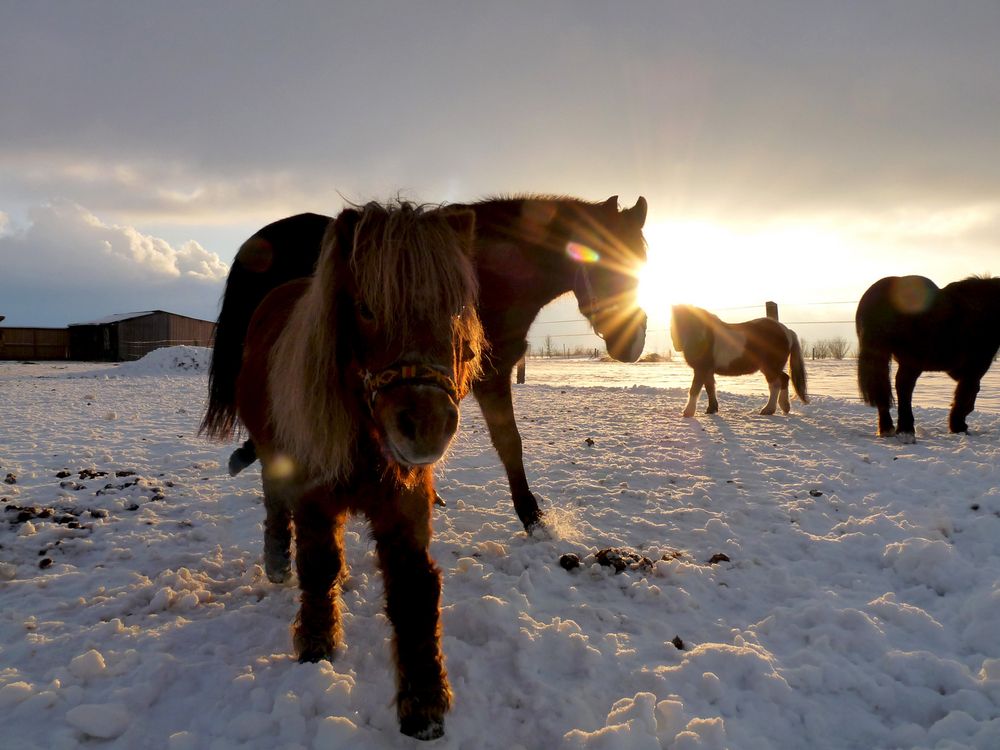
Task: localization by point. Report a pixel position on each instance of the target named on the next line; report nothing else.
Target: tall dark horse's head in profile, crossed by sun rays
(608, 249)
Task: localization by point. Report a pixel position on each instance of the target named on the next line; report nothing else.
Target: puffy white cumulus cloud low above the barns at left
(67, 264)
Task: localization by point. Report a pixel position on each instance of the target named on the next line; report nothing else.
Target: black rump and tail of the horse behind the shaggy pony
(280, 252)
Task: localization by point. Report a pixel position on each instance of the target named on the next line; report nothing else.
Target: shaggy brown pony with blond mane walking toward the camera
(349, 387)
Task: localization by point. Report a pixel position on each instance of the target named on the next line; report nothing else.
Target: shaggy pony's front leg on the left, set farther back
(319, 561)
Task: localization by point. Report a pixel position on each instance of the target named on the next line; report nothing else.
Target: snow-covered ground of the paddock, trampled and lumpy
(807, 584)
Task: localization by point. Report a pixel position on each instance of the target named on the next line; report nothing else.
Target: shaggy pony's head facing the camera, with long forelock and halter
(408, 299)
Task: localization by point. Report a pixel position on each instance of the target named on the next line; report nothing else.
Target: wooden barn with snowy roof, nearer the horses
(131, 336)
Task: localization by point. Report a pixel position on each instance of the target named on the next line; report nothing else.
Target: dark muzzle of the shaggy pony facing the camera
(419, 422)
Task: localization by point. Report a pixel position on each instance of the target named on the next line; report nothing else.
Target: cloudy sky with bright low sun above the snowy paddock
(789, 151)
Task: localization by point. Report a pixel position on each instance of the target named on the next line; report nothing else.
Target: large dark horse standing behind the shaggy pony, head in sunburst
(529, 250)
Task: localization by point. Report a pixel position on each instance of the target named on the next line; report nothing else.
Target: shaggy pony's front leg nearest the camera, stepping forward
(412, 583)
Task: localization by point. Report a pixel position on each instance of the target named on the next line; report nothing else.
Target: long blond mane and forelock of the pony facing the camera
(411, 266)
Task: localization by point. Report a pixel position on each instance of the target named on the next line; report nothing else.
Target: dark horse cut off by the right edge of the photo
(922, 327)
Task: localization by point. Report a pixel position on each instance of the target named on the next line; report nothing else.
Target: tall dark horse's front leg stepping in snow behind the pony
(496, 403)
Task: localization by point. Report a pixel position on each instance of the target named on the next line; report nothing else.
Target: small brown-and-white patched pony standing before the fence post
(713, 347)
